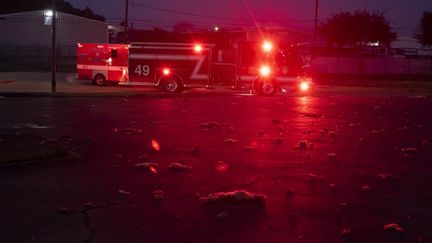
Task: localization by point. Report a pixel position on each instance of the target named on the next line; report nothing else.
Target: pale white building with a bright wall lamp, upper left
(33, 29)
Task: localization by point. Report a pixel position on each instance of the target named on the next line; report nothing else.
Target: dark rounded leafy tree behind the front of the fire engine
(357, 29)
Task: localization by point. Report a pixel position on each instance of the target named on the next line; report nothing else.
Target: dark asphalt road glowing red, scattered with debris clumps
(330, 168)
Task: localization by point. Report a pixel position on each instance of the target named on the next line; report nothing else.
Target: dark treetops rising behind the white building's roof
(12, 6)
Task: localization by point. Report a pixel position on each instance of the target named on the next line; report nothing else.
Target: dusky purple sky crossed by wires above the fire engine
(404, 15)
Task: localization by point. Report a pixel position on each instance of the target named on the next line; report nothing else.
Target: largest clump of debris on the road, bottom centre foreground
(240, 196)
